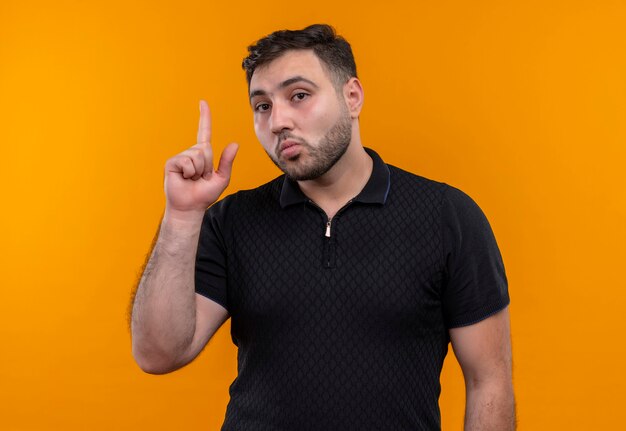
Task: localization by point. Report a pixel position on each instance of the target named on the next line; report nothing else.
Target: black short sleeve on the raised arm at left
(211, 270)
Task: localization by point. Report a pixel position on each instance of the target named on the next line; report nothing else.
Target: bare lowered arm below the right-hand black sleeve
(484, 353)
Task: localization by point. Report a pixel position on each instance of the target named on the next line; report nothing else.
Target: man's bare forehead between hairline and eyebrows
(302, 63)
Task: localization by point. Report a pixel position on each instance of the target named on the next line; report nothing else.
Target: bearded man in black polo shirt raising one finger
(344, 279)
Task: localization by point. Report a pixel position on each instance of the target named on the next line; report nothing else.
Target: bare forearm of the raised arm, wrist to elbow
(164, 309)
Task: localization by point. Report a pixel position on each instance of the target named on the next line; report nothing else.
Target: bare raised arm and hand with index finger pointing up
(170, 323)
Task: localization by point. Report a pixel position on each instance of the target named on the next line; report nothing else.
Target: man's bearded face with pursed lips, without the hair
(299, 117)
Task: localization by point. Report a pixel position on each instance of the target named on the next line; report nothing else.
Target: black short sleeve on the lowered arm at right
(475, 284)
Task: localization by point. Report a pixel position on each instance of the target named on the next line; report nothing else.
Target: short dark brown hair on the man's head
(333, 50)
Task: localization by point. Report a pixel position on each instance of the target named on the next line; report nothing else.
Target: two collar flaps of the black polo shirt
(375, 191)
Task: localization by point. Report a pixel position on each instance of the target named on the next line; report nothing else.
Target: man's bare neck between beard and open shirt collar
(342, 182)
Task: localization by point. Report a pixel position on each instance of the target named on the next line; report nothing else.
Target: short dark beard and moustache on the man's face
(315, 160)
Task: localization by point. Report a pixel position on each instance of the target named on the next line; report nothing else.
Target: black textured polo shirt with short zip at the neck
(345, 326)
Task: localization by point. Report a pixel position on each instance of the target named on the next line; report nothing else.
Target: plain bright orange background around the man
(520, 104)
